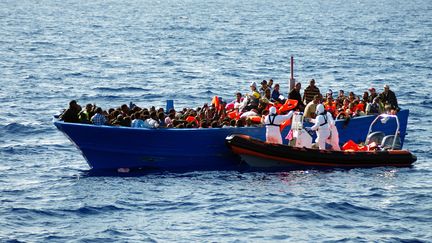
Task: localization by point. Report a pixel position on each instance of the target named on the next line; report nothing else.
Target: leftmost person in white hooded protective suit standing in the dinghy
(273, 122)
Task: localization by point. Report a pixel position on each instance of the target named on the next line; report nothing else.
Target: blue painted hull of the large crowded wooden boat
(107, 148)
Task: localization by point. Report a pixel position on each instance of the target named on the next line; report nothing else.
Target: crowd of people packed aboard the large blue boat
(243, 110)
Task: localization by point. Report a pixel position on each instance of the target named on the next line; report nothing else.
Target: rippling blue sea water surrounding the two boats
(116, 52)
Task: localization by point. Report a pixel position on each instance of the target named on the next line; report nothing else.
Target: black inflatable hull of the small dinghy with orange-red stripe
(262, 155)
